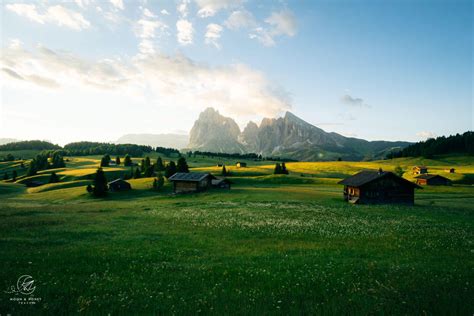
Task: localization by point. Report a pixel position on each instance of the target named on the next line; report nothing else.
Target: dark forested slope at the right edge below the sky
(454, 144)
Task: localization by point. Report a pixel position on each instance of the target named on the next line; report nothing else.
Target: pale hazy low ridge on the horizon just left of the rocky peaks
(178, 141)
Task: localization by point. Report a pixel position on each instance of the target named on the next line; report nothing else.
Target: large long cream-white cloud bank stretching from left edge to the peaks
(173, 80)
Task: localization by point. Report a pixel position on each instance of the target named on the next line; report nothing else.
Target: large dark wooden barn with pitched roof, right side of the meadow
(378, 187)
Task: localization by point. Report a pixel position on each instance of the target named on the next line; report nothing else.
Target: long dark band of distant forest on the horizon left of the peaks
(94, 148)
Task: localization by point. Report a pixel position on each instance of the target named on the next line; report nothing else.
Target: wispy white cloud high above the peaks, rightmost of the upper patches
(278, 24)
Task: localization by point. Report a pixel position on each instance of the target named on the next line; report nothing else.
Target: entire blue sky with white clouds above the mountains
(98, 69)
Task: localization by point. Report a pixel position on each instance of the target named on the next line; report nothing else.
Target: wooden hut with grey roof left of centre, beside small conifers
(191, 182)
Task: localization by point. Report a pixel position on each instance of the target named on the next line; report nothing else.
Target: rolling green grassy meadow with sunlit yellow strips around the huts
(270, 245)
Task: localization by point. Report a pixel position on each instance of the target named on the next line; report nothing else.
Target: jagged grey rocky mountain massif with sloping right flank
(288, 136)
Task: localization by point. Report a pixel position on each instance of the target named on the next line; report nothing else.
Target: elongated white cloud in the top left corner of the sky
(57, 14)
